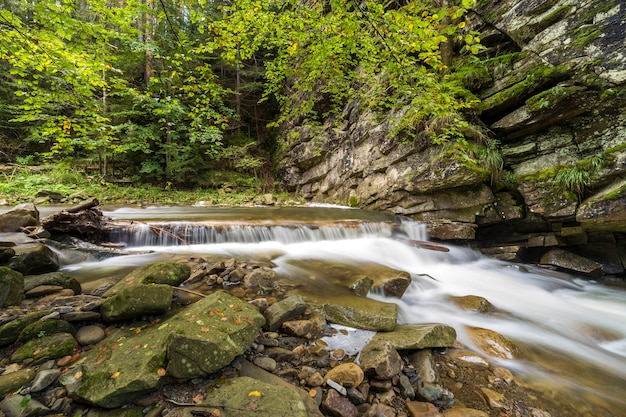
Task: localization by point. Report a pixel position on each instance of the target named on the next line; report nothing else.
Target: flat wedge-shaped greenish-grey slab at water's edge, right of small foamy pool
(419, 336)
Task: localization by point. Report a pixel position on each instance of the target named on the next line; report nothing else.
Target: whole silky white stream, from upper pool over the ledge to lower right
(572, 331)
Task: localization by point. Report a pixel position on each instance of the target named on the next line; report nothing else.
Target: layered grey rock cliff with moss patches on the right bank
(553, 95)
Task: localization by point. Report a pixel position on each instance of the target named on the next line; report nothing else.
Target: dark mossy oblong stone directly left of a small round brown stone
(39, 350)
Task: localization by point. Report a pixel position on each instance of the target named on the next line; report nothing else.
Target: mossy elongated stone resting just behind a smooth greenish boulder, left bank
(167, 273)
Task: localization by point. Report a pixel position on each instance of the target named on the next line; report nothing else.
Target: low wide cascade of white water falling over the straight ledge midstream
(200, 233)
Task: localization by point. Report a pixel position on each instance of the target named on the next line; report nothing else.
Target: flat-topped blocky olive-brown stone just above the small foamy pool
(362, 313)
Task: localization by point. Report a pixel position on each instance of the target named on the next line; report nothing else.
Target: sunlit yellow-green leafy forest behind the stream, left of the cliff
(188, 93)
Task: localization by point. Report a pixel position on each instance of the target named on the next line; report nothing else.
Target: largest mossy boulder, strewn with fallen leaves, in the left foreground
(196, 341)
